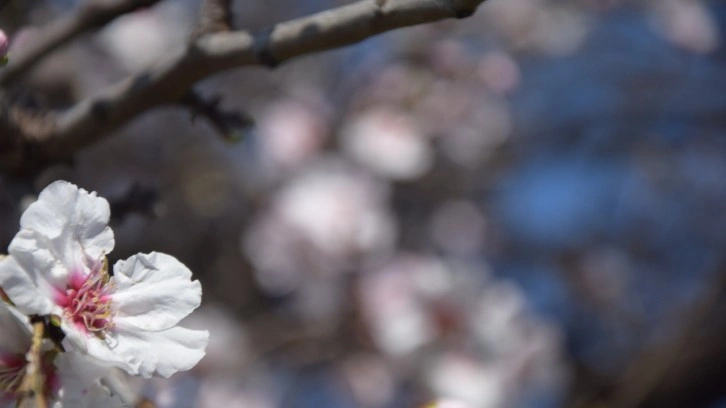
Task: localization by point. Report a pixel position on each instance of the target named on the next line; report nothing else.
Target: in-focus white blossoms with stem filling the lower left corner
(89, 321)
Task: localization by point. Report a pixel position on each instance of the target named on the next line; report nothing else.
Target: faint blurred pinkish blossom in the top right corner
(688, 24)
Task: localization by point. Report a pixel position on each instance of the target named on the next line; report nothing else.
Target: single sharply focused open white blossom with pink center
(57, 267)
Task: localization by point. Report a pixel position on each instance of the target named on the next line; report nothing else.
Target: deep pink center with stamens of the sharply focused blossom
(87, 302)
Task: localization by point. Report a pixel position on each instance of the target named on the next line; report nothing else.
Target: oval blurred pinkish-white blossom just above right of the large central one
(389, 143)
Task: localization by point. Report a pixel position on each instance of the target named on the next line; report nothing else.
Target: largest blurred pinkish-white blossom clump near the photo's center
(322, 220)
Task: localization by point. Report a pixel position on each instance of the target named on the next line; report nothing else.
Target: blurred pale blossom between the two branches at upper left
(141, 39)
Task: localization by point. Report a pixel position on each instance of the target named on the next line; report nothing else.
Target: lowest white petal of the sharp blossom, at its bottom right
(162, 352)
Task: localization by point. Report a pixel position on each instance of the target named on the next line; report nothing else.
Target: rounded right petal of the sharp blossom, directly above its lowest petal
(153, 292)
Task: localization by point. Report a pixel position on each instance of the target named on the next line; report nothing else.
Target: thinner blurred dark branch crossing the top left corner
(90, 15)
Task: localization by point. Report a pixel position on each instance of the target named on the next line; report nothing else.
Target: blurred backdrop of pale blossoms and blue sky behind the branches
(525, 208)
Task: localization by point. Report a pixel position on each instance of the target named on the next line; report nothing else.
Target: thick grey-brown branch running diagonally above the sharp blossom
(61, 134)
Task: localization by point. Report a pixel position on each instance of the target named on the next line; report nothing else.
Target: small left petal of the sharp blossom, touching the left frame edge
(22, 288)
